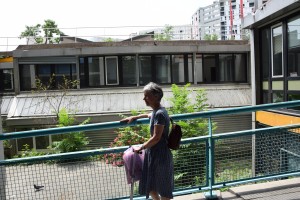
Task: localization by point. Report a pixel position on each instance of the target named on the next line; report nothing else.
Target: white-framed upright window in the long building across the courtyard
(111, 67)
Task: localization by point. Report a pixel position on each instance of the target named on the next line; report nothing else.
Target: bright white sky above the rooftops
(72, 16)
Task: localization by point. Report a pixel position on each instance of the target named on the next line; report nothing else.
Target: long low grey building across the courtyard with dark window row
(112, 76)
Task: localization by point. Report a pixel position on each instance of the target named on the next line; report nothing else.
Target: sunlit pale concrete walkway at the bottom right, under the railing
(288, 189)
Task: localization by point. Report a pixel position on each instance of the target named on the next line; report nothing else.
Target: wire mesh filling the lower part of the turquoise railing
(91, 175)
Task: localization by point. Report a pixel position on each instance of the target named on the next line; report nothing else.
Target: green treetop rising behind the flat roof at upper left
(50, 30)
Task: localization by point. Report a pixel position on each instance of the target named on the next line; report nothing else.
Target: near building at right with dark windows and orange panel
(275, 31)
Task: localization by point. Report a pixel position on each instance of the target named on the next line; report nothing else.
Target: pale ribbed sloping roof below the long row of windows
(119, 100)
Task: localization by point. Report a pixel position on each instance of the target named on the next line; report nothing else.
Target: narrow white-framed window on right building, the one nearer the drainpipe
(277, 51)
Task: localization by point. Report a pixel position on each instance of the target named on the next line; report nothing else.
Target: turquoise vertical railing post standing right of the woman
(210, 194)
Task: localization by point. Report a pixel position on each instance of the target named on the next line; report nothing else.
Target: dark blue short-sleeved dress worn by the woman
(158, 170)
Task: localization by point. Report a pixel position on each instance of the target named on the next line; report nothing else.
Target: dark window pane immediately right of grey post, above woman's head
(145, 69)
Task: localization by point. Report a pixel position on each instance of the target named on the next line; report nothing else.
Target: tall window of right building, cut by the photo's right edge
(294, 47)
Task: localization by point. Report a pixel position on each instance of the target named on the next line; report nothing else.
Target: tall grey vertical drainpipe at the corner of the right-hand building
(253, 91)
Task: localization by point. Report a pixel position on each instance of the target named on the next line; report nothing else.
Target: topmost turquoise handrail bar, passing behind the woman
(118, 124)
